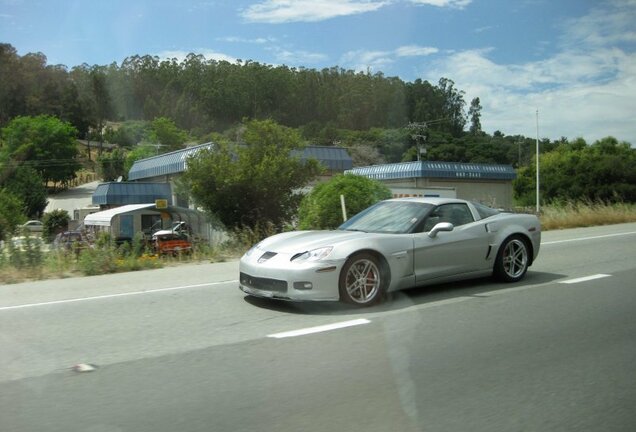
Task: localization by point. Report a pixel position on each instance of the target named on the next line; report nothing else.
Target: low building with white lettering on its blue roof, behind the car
(487, 183)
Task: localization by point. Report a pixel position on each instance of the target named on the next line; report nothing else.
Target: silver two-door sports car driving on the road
(392, 245)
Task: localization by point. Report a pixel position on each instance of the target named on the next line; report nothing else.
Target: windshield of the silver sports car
(396, 217)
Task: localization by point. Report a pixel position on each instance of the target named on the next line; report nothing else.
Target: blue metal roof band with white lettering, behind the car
(431, 169)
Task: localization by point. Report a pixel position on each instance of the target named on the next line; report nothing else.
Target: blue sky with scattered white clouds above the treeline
(572, 60)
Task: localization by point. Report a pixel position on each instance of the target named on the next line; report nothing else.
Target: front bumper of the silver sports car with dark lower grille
(279, 278)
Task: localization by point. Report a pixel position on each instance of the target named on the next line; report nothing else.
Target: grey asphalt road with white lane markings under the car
(182, 349)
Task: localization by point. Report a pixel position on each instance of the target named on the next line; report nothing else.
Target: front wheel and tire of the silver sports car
(363, 280)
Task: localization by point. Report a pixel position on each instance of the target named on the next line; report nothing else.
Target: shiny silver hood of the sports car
(302, 241)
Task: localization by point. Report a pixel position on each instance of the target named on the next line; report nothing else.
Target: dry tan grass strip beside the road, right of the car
(584, 214)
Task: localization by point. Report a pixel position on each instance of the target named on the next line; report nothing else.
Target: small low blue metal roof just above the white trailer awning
(131, 193)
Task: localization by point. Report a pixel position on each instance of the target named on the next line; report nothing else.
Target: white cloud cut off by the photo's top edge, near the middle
(282, 11)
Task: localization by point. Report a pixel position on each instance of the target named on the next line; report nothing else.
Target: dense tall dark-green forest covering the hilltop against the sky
(204, 95)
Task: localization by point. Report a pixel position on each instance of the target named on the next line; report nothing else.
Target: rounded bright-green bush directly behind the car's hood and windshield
(321, 208)
